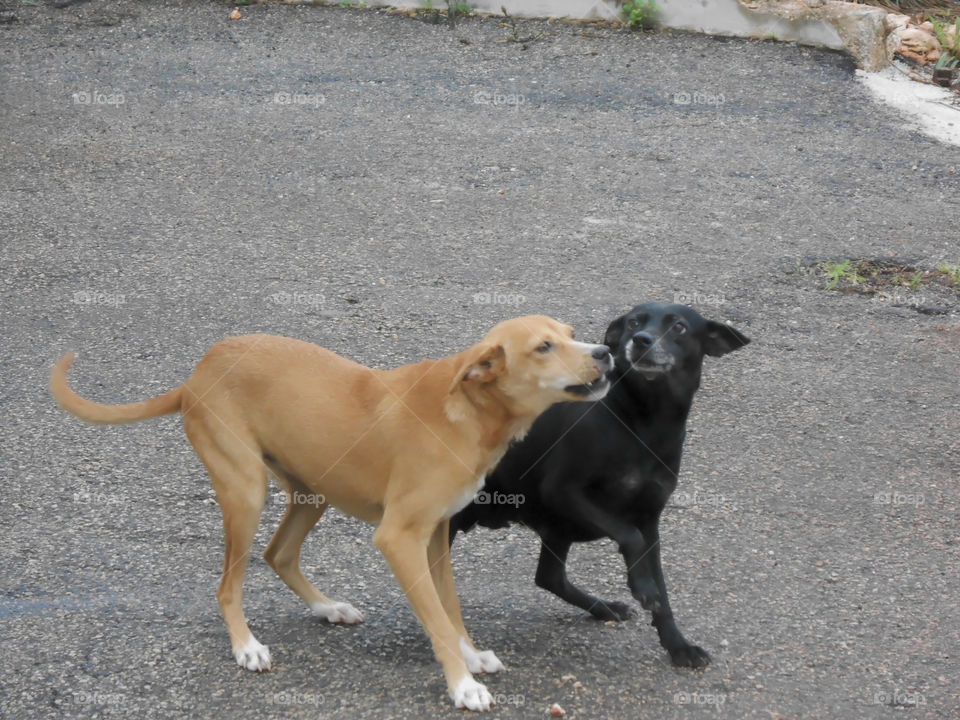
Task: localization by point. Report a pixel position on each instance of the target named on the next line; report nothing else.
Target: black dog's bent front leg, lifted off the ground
(633, 546)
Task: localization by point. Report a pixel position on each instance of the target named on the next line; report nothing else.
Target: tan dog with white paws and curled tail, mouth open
(403, 449)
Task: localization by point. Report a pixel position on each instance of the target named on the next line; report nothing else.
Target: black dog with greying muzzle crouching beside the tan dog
(606, 469)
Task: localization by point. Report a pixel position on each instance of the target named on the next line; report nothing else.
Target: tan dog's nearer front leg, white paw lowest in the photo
(405, 549)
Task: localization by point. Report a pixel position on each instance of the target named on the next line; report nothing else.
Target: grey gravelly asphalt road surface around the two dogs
(390, 189)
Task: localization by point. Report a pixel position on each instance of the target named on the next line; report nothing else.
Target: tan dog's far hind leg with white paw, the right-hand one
(303, 511)
